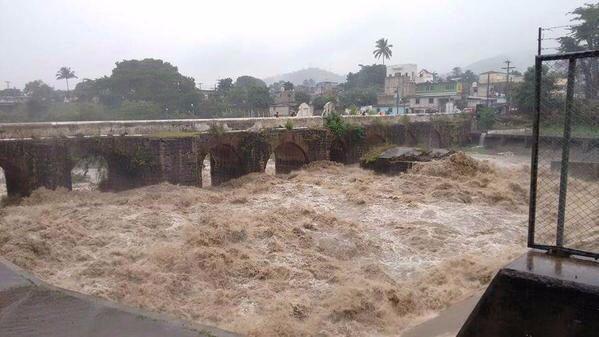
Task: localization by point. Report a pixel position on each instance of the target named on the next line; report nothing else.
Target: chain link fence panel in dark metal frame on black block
(564, 207)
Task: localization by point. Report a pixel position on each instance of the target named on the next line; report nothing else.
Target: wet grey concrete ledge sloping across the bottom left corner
(32, 308)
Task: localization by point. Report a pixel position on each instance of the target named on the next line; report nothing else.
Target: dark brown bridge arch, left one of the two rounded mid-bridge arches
(225, 164)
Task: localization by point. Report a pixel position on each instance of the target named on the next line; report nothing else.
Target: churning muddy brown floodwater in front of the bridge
(329, 250)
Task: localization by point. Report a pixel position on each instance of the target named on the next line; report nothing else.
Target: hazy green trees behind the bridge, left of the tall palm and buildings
(154, 89)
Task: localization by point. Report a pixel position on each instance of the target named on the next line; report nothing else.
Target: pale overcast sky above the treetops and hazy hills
(209, 40)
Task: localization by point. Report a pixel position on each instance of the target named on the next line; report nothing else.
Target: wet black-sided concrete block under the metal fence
(539, 295)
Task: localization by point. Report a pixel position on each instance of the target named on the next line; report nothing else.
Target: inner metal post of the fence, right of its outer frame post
(563, 186)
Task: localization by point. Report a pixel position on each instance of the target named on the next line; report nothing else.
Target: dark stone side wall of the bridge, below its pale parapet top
(135, 161)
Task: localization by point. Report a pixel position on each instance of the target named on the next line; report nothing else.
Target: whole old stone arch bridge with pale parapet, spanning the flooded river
(43, 154)
